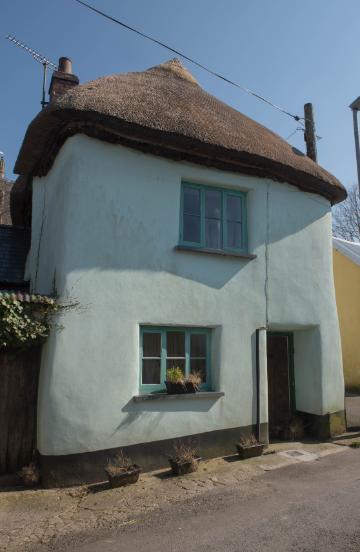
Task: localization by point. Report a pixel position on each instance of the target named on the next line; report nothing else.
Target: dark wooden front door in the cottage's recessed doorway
(279, 382)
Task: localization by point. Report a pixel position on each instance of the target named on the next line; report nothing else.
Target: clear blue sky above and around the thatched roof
(291, 51)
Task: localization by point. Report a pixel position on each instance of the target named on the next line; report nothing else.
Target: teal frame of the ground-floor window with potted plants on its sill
(153, 388)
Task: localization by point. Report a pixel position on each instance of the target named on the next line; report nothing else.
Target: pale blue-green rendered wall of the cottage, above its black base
(108, 217)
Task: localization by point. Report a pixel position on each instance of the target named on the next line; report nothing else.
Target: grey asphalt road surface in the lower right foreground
(307, 507)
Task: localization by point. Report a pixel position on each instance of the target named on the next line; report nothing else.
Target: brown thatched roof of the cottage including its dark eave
(164, 111)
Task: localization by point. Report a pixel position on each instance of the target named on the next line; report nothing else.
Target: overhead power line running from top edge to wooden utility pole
(191, 60)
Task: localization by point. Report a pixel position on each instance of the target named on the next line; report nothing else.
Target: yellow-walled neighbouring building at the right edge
(347, 287)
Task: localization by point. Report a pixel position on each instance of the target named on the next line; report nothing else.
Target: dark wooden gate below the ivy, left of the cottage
(19, 373)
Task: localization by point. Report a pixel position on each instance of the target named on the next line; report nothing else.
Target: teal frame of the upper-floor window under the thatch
(225, 192)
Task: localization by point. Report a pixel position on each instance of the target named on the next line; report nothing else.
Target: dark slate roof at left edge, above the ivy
(14, 246)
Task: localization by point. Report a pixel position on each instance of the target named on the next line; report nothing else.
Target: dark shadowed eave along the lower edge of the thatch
(38, 153)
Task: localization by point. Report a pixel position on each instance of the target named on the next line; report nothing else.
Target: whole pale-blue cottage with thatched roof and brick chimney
(191, 236)
